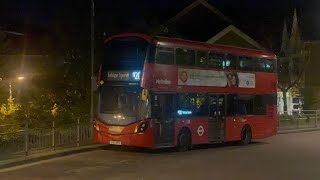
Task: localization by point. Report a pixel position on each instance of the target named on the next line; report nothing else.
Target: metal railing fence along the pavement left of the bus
(24, 140)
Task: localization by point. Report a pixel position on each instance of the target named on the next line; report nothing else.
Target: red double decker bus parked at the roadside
(166, 92)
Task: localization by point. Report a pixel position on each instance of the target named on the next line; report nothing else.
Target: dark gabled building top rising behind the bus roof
(200, 21)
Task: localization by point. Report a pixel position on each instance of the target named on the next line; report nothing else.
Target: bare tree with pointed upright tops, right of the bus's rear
(292, 60)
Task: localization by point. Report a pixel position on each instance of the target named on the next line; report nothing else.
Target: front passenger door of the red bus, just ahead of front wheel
(163, 111)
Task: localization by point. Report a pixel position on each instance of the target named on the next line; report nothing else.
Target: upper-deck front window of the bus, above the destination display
(125, 53)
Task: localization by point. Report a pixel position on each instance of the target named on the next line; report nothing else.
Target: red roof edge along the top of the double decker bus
(176, 42)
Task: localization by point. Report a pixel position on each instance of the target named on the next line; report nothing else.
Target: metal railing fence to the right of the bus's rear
(303, 119)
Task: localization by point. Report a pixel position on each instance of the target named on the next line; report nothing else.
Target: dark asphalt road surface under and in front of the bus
(283, 157)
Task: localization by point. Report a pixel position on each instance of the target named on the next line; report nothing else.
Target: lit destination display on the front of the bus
(123, 75)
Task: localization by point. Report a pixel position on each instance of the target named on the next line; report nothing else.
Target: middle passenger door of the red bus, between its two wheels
(216, 118)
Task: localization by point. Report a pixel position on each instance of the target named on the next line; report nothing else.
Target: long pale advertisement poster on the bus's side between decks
(196, 77)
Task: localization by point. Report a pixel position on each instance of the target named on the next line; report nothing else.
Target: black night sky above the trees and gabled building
(250, 16)
